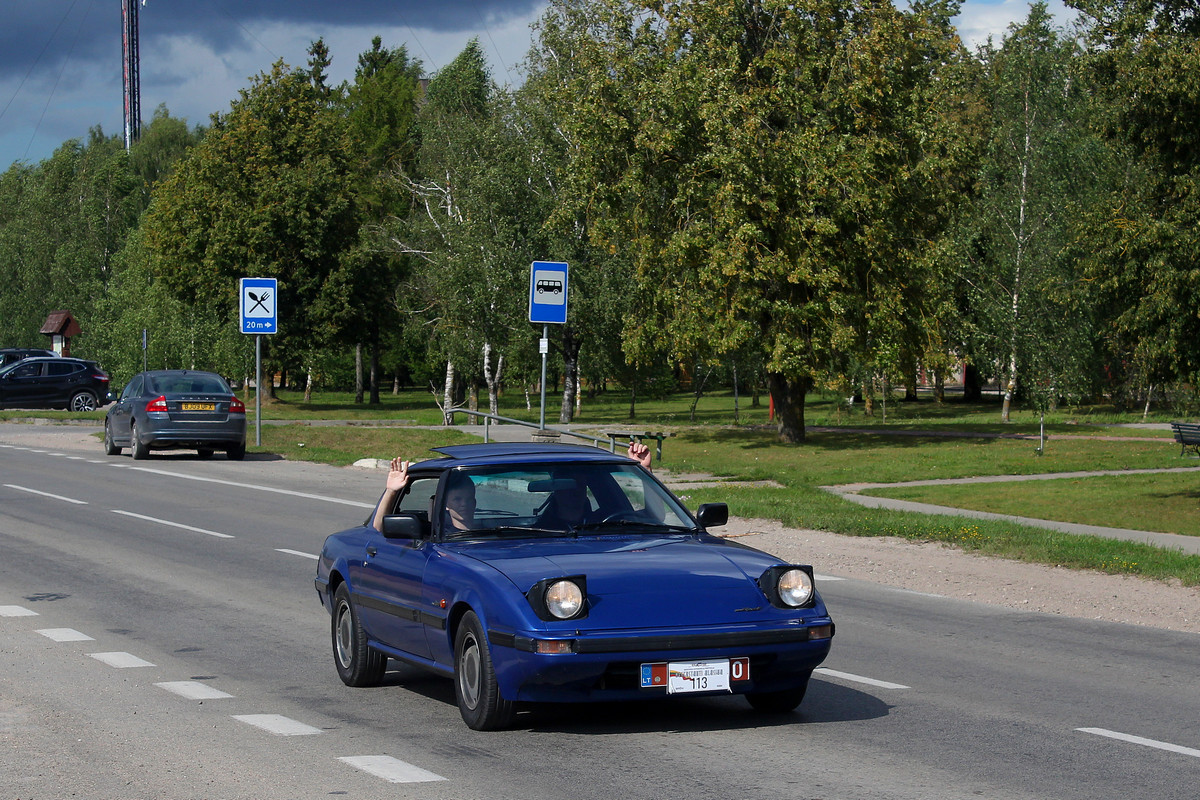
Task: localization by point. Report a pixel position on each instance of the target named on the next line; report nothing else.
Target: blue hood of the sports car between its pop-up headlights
(644, 582)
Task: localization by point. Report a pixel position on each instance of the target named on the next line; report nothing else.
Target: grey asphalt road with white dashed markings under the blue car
(160, 637)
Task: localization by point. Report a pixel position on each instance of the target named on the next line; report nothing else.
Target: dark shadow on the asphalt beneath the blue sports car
(825, 702)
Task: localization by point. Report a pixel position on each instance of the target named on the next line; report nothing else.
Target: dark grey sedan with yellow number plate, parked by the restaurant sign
(169, 410)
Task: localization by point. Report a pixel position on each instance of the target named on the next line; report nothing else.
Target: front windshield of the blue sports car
(567, 501)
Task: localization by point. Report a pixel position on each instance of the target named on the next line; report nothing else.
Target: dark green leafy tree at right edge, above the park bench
(1144, 58)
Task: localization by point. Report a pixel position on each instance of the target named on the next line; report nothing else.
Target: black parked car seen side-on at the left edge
(46, 382)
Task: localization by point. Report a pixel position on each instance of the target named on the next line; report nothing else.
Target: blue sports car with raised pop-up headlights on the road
(565, 574)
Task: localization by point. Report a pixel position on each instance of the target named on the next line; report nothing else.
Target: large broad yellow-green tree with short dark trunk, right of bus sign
(776, 169)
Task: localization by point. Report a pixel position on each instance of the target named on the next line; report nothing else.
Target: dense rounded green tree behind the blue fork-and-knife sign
(267, 194)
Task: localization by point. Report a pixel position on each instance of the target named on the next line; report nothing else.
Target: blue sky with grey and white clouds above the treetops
(61, 61)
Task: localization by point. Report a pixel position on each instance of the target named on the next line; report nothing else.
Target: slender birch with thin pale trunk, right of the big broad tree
(1028, 300)
